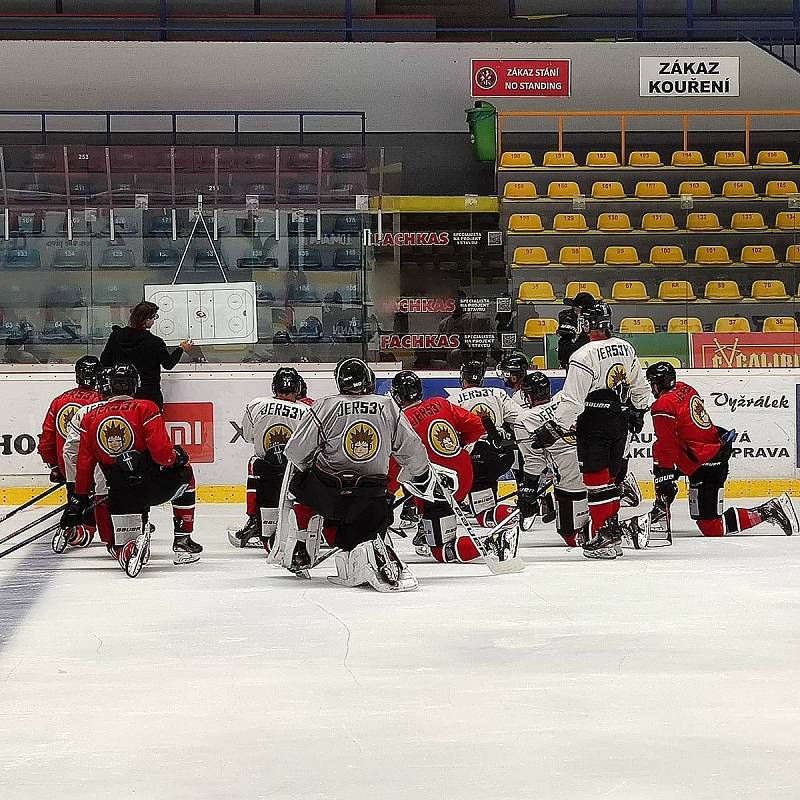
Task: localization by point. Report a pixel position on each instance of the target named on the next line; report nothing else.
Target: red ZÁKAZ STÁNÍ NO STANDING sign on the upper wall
(531, 77)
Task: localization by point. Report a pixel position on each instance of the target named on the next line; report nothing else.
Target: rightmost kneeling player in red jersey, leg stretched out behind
(688, 443)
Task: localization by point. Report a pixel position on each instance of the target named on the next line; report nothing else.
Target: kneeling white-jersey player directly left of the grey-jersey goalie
(268, 424)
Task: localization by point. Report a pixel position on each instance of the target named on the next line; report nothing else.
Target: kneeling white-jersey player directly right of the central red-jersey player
(491, 458)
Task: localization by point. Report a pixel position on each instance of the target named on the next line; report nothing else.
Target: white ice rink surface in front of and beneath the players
(669, 673)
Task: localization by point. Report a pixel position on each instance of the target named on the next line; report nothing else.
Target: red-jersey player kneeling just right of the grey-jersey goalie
(445, 429)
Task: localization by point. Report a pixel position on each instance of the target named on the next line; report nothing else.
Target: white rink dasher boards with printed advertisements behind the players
(204, 407)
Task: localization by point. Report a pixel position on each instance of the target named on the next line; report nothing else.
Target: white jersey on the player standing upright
(608, 367)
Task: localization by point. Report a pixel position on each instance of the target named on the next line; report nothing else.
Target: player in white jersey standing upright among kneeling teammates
(604, 396)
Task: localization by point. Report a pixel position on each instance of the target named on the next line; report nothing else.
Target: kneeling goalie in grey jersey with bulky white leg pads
(342, 449)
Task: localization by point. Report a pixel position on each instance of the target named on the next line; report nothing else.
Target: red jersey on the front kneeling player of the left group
(122, 424)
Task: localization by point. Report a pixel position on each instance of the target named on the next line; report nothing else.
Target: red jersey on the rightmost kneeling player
(686, 437)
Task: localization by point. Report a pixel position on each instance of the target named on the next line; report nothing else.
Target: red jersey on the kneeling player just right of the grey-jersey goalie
(445, 430)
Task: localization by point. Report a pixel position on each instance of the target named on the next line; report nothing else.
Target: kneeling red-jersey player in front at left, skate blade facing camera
(129, 440)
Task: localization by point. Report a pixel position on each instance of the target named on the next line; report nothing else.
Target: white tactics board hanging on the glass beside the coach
(207, 313)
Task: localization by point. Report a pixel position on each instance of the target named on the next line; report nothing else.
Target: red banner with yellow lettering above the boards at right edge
(745, 350)
